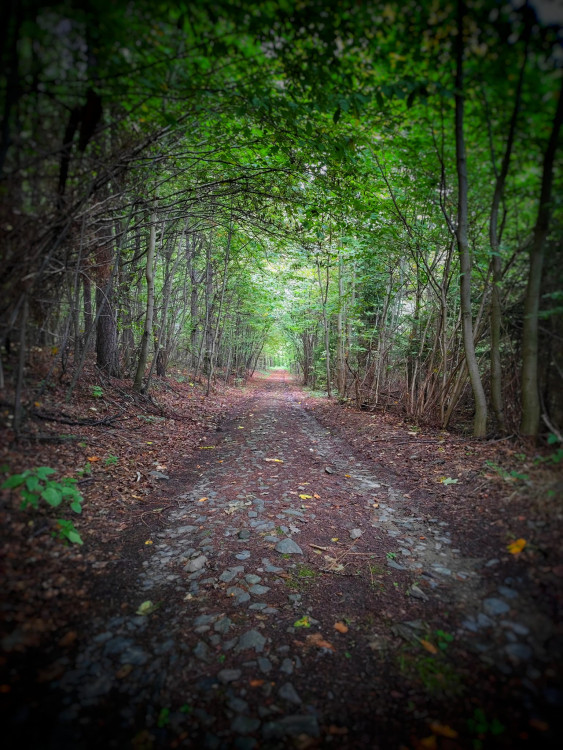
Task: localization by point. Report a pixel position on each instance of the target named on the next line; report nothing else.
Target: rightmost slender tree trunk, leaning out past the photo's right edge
(530, 421)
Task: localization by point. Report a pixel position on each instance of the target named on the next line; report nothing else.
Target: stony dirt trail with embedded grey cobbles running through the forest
(283, 535)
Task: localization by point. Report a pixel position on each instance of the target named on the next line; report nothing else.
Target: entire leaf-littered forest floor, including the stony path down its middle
(264, 568)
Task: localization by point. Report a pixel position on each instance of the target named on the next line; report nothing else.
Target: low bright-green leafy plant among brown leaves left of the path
(34, 485)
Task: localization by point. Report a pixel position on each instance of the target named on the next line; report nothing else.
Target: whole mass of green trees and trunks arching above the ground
(368, 193)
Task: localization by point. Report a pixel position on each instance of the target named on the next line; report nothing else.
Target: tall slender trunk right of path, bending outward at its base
(480, 420)
